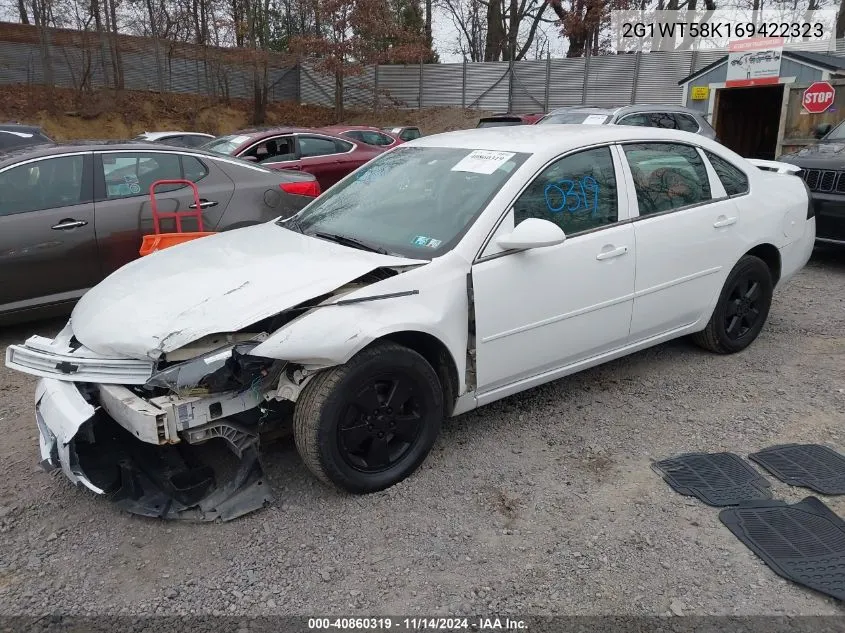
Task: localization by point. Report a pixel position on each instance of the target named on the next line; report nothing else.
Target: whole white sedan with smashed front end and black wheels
(443, 275)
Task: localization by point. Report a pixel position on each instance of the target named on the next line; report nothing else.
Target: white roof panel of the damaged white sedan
(550, 141)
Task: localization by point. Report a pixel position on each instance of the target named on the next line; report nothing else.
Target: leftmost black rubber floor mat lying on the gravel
(717, 479)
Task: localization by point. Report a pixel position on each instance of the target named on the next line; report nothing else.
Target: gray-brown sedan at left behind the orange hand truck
(72, 214)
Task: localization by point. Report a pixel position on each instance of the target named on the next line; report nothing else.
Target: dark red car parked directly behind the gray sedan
(329, 157)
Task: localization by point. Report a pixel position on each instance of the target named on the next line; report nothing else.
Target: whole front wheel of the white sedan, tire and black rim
(368, 424)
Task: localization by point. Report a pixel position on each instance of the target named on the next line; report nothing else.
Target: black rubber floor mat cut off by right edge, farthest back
(810, 466)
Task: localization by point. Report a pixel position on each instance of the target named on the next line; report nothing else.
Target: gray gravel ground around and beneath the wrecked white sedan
(543, 503)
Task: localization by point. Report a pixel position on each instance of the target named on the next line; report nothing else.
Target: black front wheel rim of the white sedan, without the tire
(381, 423)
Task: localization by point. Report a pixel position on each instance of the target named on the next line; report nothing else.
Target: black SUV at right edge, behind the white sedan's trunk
(823, 169)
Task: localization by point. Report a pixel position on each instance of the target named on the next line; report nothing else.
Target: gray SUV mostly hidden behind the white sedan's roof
(671, 117)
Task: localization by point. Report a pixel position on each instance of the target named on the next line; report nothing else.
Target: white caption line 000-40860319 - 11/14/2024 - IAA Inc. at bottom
(480, 624)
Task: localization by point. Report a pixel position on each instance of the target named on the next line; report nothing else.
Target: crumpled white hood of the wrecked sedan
(215, 284)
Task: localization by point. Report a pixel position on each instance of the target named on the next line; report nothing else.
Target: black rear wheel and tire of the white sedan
(742, 308)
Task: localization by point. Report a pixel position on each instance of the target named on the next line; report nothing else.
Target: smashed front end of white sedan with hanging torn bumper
(180, 443)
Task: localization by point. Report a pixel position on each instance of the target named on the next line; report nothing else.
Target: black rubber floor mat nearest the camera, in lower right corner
(803, 542)
